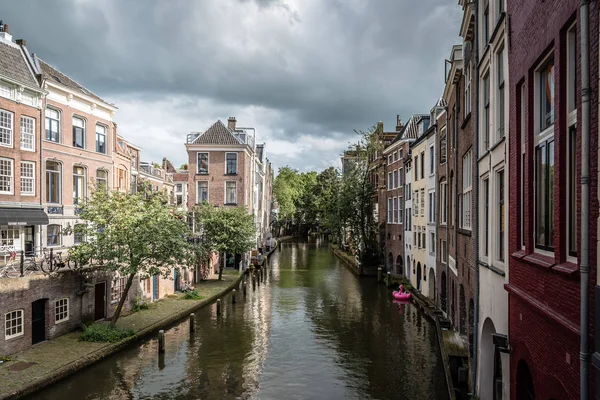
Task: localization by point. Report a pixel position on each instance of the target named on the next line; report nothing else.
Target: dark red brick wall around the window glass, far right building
(544, 286)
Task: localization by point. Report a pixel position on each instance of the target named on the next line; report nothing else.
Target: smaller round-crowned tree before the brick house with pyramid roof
(226, 229)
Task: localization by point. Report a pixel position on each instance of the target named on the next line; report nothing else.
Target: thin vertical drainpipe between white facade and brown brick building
(476, 200)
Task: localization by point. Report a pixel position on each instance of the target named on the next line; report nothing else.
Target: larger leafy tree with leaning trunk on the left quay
(131, 234)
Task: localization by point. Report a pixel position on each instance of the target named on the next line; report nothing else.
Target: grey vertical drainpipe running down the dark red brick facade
(584, 269)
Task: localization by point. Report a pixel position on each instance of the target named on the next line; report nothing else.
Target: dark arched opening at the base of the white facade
(490, 380)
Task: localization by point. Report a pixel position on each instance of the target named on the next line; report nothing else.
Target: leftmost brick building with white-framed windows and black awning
(21, 101)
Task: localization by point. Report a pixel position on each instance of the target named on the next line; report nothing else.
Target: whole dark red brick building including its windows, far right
(545, 113)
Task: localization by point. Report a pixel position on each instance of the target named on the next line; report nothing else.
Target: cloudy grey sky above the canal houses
(304, 73)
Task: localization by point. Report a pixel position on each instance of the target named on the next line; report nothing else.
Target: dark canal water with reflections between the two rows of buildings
(311, 330)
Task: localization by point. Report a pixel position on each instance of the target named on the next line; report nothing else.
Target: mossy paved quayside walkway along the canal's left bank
(47, 362)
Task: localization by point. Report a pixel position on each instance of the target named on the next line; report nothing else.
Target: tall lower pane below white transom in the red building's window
(544, 195)
